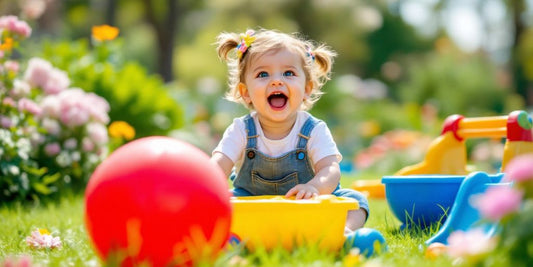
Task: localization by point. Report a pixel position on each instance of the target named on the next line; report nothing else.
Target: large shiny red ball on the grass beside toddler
(158, 200)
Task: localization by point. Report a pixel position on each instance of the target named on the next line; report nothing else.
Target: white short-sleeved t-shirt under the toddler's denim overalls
(319, 146)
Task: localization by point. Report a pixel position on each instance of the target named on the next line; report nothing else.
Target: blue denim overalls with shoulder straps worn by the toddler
(264, 175)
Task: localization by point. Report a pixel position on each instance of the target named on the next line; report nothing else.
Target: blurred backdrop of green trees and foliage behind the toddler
(399, 65)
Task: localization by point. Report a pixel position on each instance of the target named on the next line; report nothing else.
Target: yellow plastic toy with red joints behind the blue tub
(447, 153)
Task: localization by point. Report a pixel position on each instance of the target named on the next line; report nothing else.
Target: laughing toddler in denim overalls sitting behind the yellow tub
(279, 148)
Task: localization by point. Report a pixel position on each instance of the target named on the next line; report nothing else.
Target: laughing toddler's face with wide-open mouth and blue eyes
(276, 85)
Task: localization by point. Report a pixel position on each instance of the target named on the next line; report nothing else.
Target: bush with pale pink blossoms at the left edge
(52, 136)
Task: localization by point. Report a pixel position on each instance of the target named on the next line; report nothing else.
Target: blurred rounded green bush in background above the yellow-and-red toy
(455, 83)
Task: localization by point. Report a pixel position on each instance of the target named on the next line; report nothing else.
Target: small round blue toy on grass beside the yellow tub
(367, 240)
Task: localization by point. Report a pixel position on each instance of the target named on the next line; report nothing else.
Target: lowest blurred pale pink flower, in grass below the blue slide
(469, 245)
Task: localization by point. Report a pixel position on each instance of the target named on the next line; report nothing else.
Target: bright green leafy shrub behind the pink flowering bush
(139, 98)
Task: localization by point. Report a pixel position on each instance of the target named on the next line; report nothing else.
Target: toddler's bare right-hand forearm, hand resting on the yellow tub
(328, 175)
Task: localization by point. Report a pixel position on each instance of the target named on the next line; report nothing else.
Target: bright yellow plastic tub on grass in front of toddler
(275, 221)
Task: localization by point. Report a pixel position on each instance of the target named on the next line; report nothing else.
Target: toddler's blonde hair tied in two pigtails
(316, 60)
